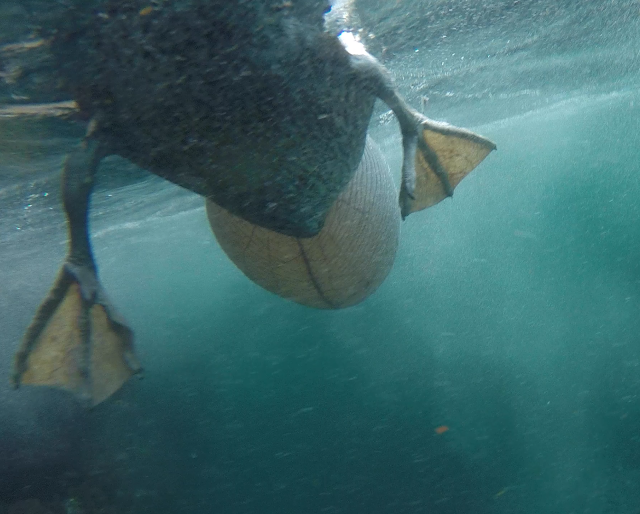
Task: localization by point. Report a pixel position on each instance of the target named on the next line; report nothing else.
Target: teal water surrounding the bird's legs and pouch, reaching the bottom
(497, 370)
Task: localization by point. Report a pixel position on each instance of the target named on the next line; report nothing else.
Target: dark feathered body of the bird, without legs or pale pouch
(251, 105)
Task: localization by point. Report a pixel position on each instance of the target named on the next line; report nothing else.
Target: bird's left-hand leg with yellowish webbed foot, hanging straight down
(77, 341)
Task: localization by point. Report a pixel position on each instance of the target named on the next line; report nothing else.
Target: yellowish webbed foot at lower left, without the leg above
(77, 341)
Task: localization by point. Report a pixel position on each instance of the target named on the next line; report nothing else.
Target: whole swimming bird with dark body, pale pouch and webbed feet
(257, 108)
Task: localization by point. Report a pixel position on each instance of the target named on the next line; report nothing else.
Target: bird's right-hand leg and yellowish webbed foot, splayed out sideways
(436, 155)
